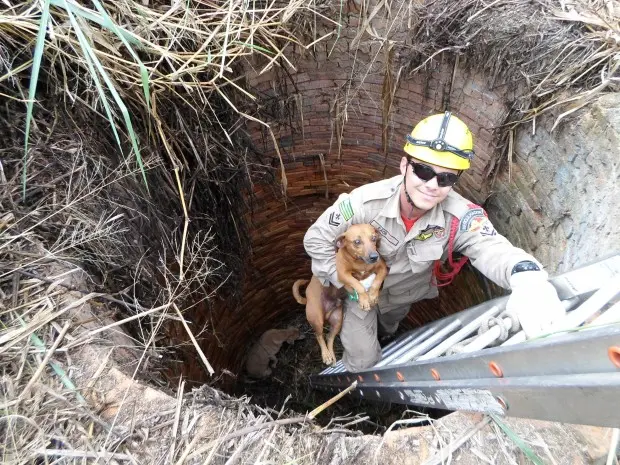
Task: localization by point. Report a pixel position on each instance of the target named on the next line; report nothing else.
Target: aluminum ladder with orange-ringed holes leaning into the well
(572, 375)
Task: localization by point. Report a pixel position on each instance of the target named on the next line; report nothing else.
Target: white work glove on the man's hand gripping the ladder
(535, 302)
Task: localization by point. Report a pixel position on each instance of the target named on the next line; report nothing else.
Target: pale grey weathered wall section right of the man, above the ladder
(560, 202)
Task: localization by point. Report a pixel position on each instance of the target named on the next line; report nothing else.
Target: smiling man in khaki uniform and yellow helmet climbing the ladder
(422, 222)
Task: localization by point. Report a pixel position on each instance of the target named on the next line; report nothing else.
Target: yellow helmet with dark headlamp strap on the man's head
(442, 140)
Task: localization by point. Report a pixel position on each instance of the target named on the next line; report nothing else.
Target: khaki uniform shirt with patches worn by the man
(411, 256)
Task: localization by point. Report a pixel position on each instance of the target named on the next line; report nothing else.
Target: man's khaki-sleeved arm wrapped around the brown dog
(320, 239)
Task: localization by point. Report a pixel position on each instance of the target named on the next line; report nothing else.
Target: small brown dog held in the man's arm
(356, 259)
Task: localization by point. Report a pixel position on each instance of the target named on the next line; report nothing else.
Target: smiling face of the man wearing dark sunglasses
(425, 194)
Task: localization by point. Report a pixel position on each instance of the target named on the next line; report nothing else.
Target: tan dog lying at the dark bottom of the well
(264, 351)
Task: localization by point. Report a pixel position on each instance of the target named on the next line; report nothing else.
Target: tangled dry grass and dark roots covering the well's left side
(113, 206)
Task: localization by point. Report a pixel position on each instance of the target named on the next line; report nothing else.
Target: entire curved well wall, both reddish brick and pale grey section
(336, 130)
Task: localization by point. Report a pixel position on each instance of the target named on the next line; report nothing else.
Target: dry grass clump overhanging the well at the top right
(545, 55)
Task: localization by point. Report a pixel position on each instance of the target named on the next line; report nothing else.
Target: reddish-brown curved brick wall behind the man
(306, 110)
